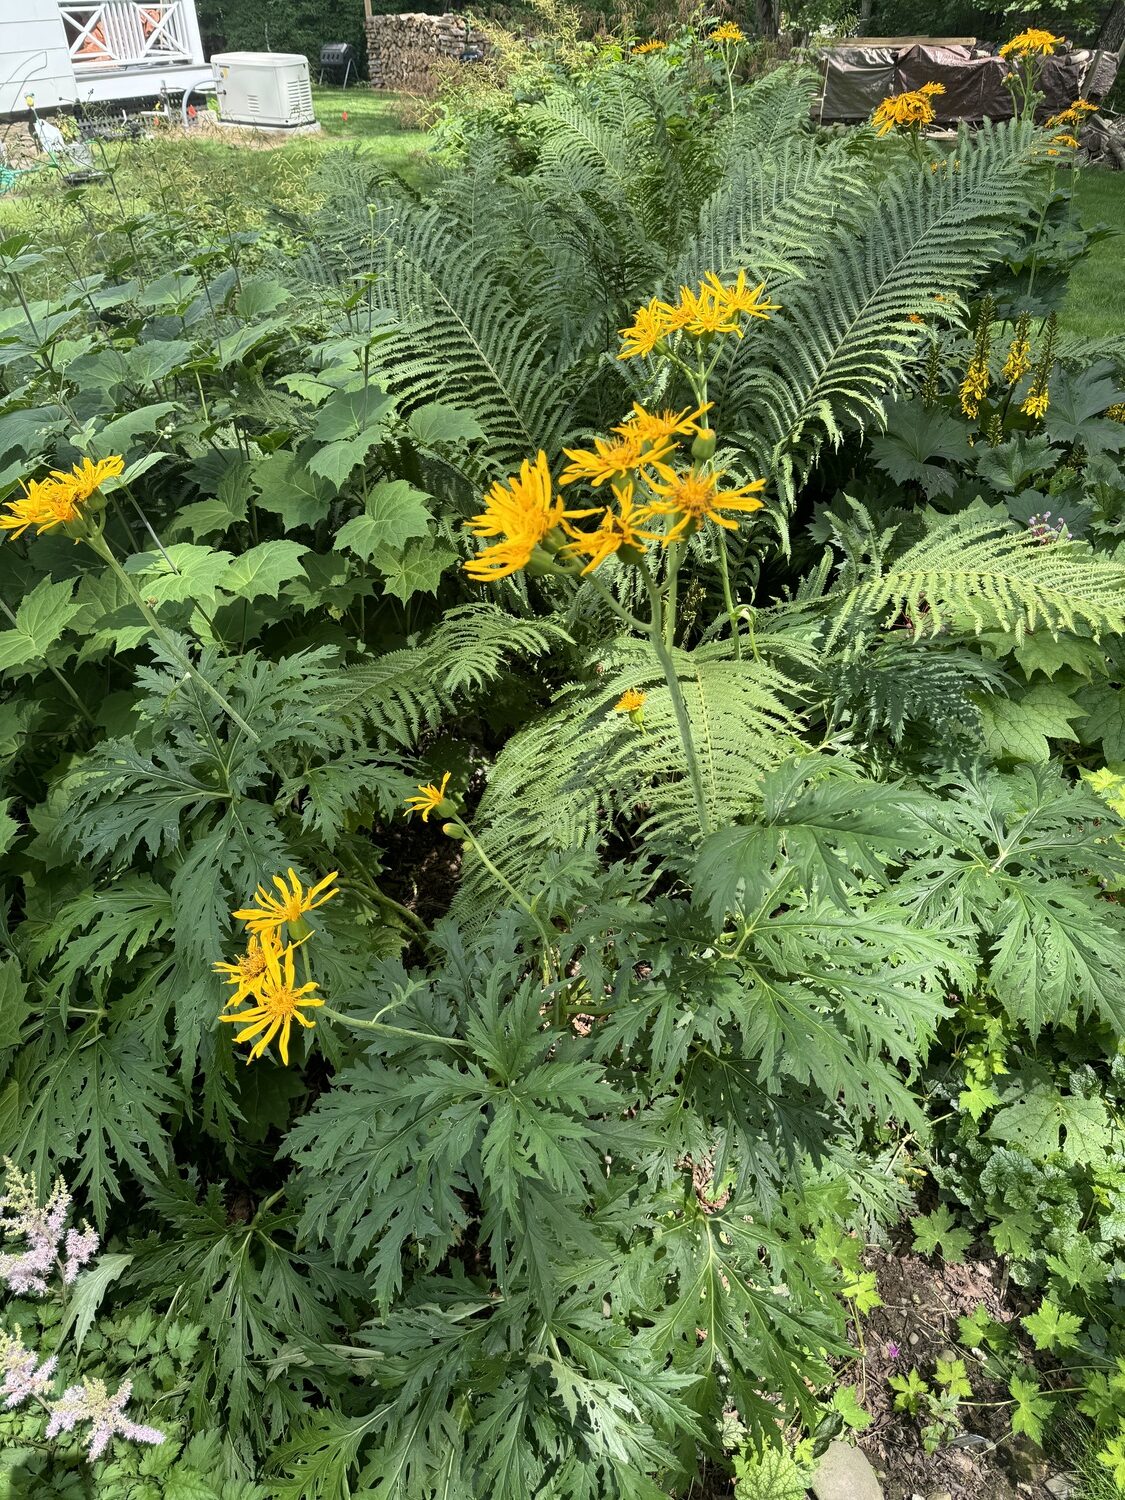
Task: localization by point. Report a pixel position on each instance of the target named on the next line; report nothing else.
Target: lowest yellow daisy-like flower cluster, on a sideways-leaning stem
(266, 976)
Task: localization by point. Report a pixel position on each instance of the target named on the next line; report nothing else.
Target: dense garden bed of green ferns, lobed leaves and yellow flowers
(562, 761)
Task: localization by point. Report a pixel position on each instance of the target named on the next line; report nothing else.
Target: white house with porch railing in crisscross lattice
(97, 52)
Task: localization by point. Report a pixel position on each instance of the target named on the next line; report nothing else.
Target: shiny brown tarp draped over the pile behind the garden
(856, 79)
